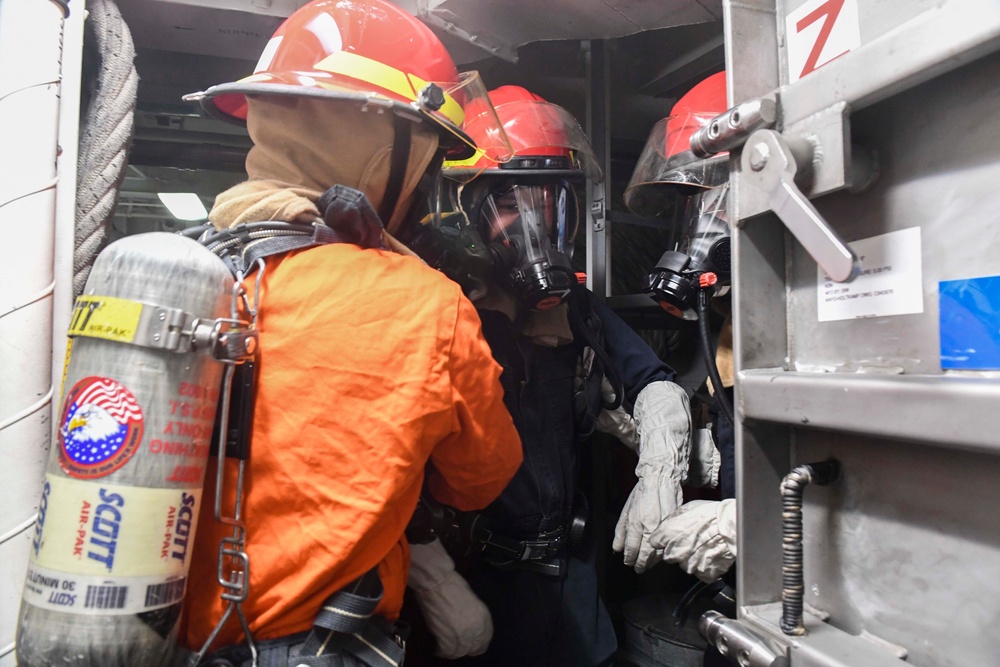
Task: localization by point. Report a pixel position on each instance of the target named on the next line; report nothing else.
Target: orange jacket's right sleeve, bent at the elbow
(474, 463)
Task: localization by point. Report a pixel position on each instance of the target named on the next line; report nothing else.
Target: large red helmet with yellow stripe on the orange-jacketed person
(362, 49)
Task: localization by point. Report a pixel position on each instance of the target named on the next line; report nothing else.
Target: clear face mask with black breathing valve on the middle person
(532, 227)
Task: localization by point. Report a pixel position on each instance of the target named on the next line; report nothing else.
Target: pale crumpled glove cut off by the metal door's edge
(700, 537)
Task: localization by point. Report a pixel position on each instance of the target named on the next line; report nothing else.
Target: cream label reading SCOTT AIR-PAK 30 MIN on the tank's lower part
(110, 549)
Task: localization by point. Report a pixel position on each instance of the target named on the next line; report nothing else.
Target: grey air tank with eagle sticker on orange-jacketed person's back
(123, 485)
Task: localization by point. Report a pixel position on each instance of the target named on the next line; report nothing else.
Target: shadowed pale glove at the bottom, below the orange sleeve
(460, 622)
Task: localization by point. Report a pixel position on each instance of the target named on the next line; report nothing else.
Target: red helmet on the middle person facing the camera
(546, 140)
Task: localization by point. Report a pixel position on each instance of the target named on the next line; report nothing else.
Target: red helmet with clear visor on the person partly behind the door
(667, 167)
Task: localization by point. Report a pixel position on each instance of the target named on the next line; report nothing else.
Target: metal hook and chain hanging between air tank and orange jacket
(234, 580)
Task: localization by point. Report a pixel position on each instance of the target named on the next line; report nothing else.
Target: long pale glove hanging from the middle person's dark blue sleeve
(663, 419)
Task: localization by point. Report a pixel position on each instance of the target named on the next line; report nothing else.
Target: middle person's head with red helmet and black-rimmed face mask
(527, 204)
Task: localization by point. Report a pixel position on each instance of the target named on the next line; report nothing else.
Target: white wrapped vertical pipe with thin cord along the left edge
(29, 116)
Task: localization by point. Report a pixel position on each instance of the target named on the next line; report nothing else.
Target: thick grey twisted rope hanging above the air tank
(107, 125)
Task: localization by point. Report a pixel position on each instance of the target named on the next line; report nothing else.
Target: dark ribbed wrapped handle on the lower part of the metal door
(792, 580)
